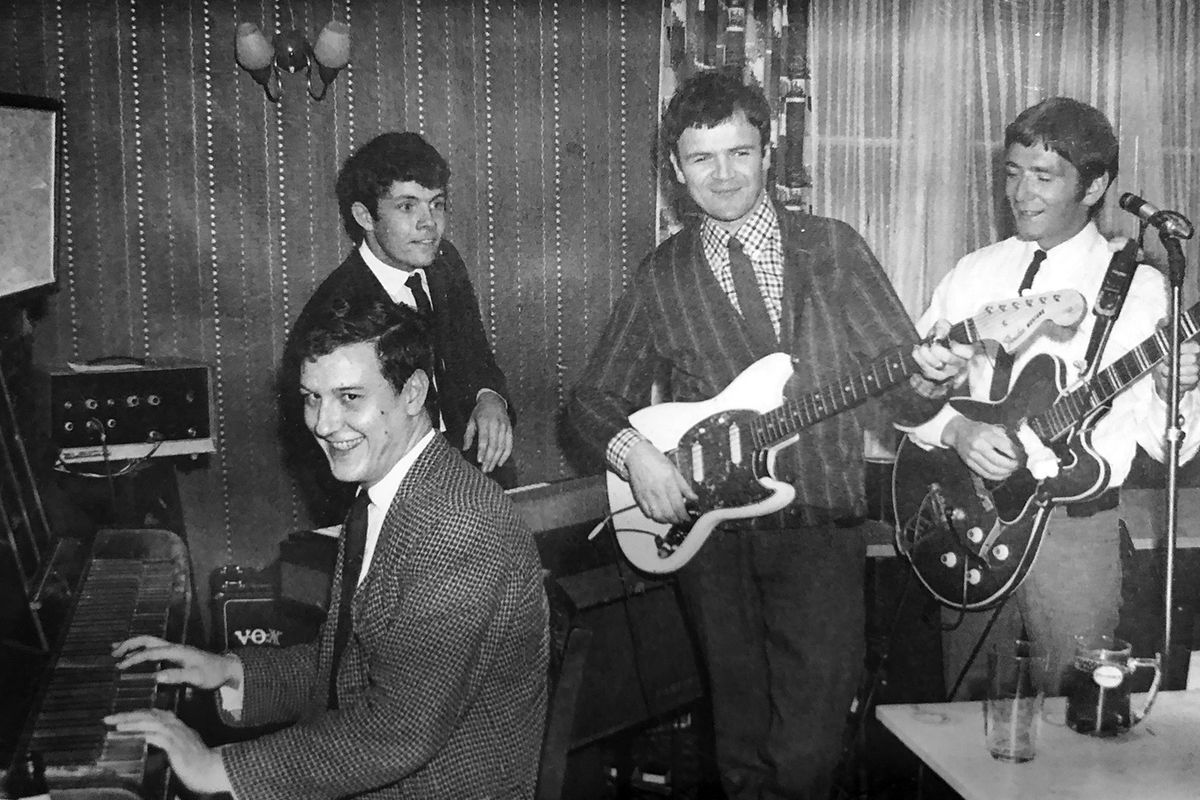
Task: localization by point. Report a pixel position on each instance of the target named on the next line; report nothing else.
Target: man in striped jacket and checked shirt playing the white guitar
(777, 600)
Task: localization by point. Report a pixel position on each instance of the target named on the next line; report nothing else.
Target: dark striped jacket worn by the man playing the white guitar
(839, 312)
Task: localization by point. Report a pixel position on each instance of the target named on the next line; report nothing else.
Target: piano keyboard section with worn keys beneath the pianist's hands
(136, 581)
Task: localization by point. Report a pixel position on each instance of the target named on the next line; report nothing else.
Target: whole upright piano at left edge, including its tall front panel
(64, 601)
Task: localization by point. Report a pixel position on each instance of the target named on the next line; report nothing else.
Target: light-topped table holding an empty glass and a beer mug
(1159, 759)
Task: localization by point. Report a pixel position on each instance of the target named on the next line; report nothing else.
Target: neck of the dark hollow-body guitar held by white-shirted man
(1077, 405)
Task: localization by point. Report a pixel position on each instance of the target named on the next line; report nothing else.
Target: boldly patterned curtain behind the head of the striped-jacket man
(767, 41)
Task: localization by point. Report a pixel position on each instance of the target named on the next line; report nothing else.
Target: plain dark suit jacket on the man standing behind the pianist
(465, 360)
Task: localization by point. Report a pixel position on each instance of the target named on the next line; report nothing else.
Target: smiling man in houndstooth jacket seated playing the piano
(433, 682)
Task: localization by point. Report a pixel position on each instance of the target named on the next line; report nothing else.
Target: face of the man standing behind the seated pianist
(407, 231)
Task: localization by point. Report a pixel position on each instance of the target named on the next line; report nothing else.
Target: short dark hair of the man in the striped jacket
(709, 99)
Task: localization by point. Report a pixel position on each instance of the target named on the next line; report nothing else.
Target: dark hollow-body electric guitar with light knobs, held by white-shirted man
(973, 542)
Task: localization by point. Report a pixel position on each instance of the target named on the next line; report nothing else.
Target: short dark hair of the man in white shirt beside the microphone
(1078, 133)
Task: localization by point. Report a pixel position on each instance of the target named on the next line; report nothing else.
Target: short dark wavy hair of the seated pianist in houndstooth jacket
(401, 336)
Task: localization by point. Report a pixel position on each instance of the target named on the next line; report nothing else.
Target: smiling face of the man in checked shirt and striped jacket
(724, 169)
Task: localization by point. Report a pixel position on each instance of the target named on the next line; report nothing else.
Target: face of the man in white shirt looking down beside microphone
(1045, 194)
